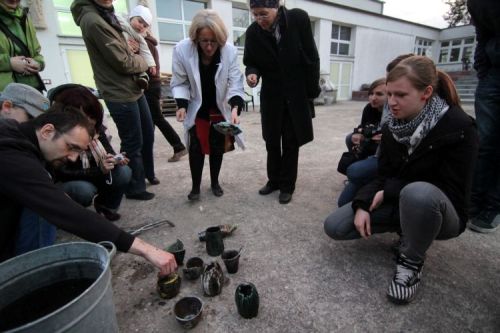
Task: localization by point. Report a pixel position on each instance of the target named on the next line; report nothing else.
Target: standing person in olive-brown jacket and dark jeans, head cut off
(114, 67)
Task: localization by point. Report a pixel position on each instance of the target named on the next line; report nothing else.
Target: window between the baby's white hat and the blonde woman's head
(174, 18)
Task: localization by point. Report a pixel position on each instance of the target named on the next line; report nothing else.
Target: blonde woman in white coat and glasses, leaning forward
(207, 85)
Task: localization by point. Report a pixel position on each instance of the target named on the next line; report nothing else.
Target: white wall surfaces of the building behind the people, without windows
(376, 39)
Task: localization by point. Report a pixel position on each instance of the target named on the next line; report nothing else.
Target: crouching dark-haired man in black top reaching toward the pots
(55, 137)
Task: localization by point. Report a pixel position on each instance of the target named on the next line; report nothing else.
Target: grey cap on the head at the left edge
(26, 97)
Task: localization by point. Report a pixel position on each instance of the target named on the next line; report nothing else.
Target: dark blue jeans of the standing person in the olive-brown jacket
(135, 128)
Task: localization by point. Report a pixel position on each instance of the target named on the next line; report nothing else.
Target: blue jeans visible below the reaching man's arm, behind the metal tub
(33, 233)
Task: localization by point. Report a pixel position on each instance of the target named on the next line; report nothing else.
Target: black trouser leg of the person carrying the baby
(153, 95)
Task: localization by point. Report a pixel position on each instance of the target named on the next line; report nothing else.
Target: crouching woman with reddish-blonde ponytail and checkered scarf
(425, 169)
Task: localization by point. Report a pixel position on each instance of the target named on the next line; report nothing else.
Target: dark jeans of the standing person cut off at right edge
(486, 185)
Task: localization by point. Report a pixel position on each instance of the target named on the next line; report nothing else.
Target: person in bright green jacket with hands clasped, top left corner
(16, 65)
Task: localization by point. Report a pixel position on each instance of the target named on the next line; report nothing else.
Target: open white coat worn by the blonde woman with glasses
(186, 82)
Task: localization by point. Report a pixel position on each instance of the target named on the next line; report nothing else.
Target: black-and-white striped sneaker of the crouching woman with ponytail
(406, 280)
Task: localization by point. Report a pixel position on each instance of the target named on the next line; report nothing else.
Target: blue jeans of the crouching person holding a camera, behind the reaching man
(110, 196)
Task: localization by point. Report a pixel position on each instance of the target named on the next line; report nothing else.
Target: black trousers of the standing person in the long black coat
(283, 158)
